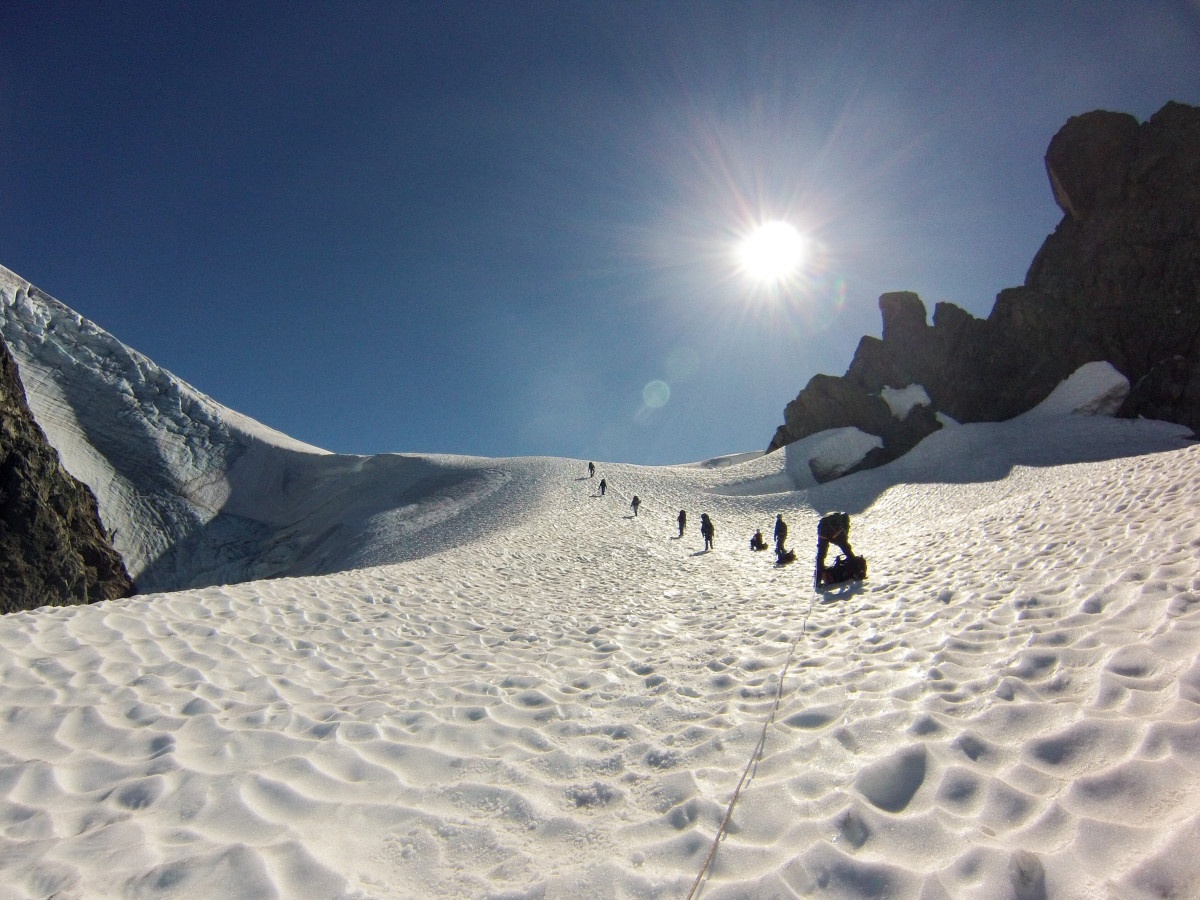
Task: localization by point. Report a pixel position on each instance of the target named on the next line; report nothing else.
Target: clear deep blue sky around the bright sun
(487, 227)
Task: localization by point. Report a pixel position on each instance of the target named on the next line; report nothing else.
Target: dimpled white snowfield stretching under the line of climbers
(547, 698)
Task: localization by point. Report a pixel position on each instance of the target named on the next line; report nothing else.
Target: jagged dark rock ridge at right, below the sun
(1118, 281)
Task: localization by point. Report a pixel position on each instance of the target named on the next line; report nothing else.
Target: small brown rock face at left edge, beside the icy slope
(53, 549)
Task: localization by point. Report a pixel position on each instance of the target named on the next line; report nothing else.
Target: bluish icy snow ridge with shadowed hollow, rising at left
(196, 494)
